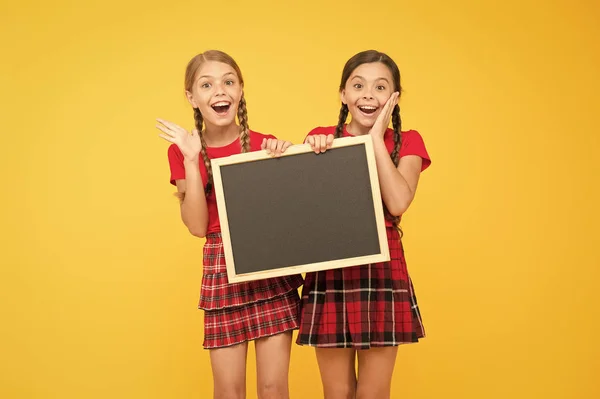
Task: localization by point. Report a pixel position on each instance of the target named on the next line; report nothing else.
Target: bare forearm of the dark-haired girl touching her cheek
(395, 190)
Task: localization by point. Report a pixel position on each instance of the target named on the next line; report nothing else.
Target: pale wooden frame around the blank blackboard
(383, 254)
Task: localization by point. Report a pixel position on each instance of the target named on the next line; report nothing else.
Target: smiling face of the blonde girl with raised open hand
(216, 91)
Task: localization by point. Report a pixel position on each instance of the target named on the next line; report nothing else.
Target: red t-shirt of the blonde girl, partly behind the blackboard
(178, 170)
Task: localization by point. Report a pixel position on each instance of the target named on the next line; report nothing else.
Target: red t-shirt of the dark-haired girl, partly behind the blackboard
(412, 144)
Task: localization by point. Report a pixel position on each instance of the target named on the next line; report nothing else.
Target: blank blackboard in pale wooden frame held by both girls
(300, 212)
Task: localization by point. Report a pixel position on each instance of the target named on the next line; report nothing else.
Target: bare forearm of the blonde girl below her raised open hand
(194, 210)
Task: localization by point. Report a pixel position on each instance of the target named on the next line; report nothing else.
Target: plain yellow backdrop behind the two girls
(100, 279)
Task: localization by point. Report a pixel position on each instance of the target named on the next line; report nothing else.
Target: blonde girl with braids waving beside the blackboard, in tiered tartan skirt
(263, 311)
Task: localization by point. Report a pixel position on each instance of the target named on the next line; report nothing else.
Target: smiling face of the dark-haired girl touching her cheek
(365, 93)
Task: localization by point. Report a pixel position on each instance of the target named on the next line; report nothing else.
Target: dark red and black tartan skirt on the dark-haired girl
(361, 306)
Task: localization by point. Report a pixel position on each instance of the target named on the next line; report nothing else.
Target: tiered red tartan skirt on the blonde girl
(239, 312)
